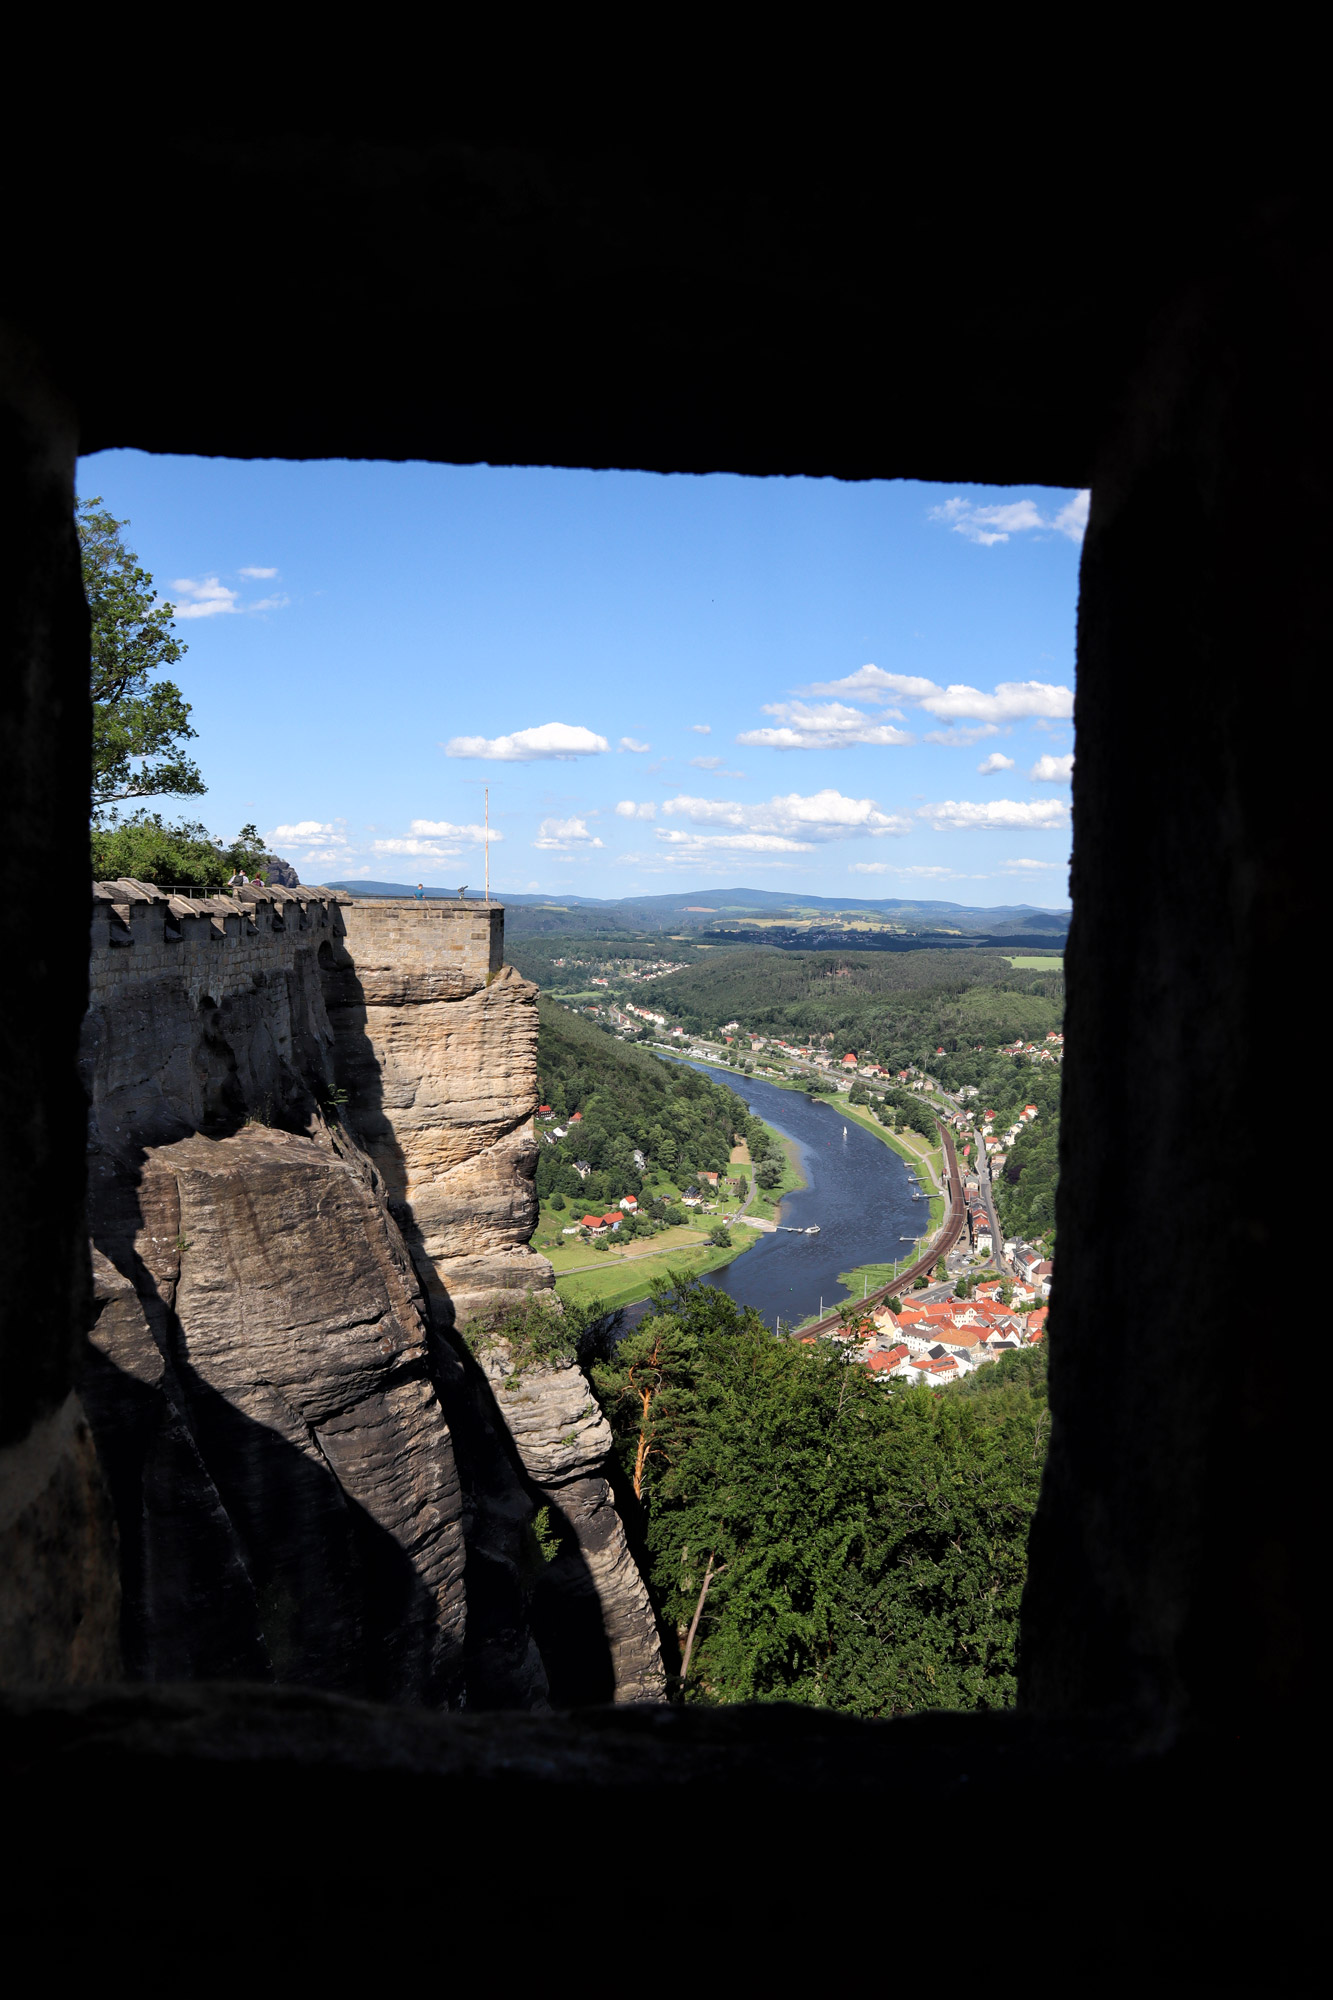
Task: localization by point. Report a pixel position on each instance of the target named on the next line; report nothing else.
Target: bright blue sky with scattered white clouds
(665, 683)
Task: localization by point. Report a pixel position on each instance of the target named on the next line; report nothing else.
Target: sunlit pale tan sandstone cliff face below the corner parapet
(437, 1051)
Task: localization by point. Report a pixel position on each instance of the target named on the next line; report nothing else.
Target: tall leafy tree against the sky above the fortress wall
(139, 725)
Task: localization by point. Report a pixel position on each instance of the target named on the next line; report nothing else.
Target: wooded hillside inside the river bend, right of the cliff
(629, 1103)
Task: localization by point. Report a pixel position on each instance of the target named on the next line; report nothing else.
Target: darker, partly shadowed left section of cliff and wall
(259, 1385)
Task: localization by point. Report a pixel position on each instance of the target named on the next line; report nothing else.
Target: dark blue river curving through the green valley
(858, 1191)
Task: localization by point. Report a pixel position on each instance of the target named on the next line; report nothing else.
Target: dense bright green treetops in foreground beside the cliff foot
(826, 1537)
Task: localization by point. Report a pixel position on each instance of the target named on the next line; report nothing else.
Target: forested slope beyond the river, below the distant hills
(892, 1005)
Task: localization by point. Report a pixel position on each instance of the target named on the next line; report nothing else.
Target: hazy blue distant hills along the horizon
(762, 915)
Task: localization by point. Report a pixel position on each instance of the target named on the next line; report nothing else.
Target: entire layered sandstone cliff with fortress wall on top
(293, 1205)
